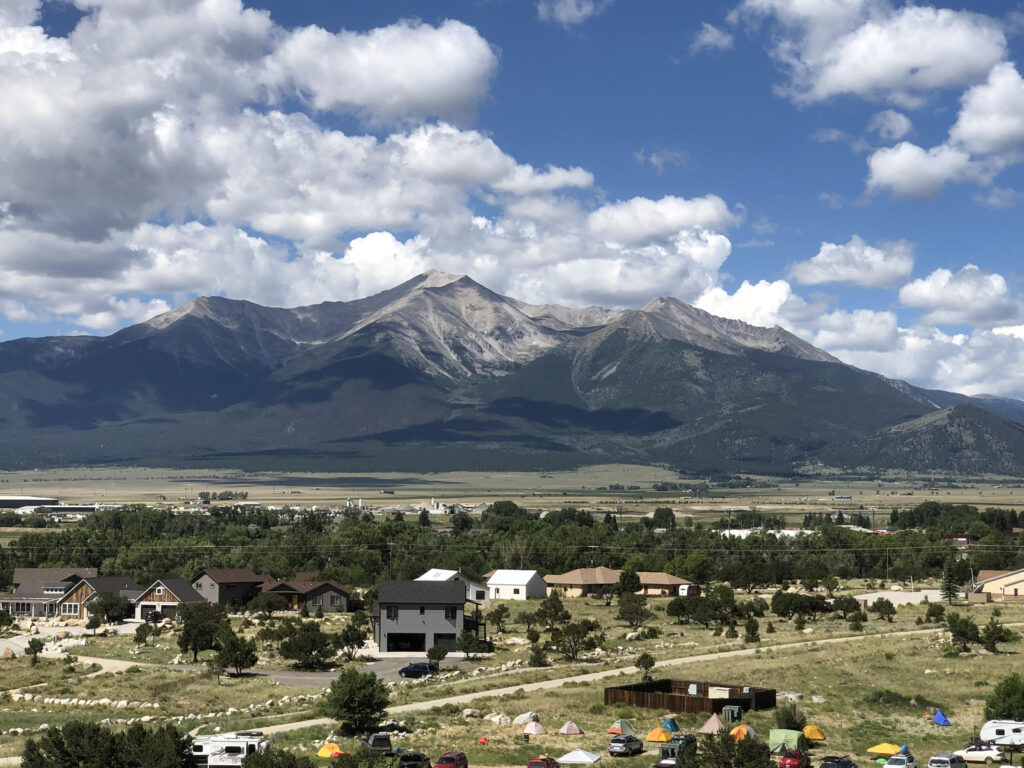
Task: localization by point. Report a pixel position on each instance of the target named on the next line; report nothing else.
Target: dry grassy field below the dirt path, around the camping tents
(875, 691)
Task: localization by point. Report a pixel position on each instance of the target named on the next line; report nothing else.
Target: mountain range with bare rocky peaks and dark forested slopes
(441, 372)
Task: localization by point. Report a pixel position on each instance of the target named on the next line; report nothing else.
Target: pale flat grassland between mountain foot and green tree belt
(595, 488)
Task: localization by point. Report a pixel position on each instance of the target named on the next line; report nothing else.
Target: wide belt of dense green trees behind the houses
(358, 550)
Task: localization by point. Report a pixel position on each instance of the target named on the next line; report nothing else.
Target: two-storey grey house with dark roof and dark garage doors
(413, 617)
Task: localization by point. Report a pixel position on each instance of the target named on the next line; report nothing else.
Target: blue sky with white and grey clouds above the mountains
(851, 170)
